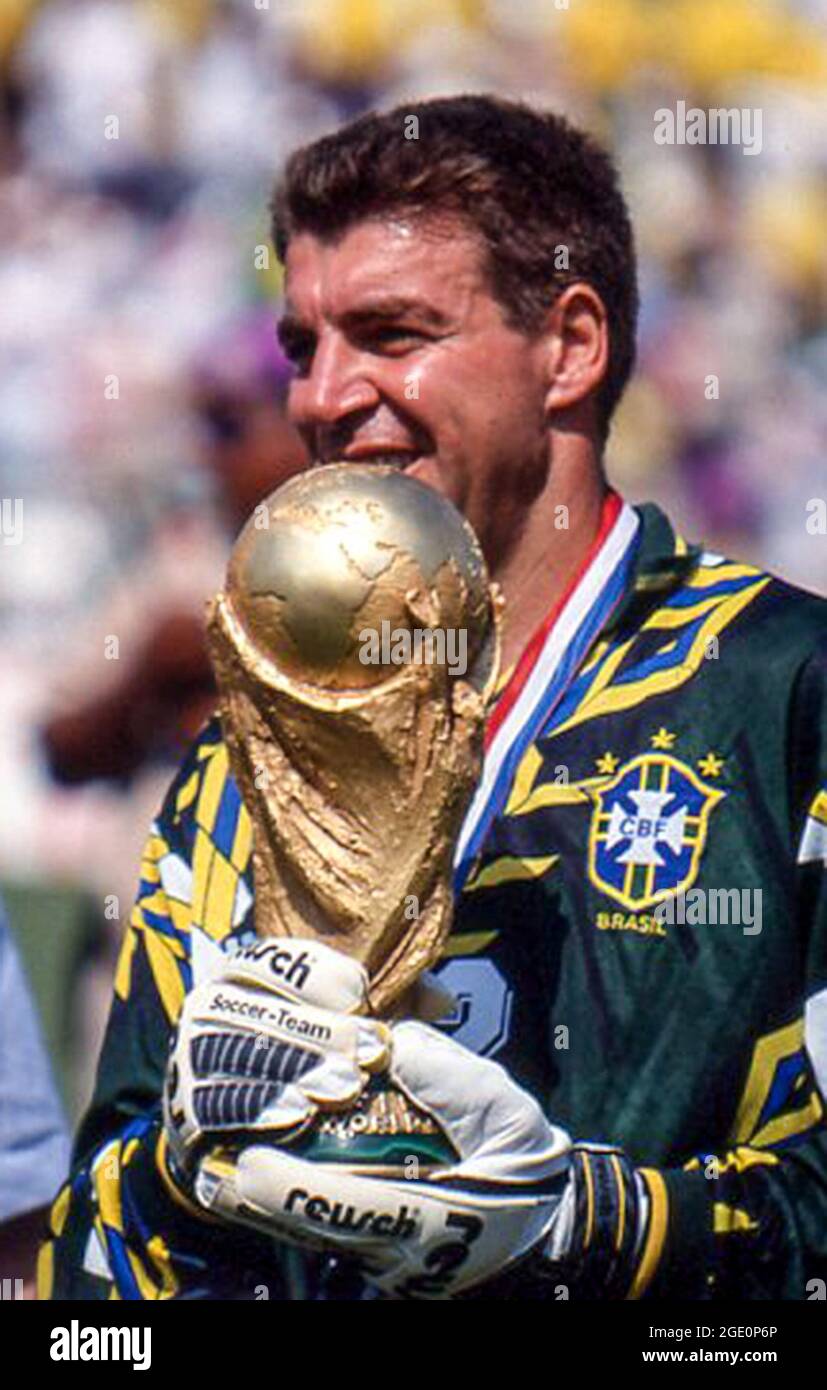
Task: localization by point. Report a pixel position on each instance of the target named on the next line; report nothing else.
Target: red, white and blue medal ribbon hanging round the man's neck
(547, 669)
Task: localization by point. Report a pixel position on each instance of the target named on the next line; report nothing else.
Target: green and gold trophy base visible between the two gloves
(383, 1136)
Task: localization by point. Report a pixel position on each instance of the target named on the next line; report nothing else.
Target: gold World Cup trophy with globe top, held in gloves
(357, 647)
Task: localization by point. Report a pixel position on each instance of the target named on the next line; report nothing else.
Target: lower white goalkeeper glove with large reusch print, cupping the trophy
(416, 1239)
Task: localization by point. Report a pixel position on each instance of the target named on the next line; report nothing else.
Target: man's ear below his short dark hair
(576, 347)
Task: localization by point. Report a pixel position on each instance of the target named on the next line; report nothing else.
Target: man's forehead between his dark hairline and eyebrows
(441, 266)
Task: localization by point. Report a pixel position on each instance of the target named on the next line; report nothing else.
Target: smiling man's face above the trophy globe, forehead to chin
(405, 357)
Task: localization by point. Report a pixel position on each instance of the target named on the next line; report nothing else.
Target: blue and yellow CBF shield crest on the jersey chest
(648, 831)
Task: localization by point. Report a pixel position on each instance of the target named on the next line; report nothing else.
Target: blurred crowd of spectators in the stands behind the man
(142, 391)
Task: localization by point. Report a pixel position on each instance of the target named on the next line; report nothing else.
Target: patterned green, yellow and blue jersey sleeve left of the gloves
(119, 1228)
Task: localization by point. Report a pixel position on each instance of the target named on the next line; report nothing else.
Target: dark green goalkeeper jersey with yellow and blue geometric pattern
(640, 939)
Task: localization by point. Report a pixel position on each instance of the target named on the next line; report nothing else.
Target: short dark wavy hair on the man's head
(526, 181)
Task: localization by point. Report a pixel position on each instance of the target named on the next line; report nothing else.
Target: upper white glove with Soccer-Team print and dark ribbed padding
(268, 1042)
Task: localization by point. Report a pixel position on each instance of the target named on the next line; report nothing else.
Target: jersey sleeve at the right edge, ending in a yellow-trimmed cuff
(753, 1224)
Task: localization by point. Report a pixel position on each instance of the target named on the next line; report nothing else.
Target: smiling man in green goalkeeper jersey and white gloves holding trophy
(464, 305)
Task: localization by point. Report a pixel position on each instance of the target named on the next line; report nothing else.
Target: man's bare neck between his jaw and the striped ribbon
(550, 551)
